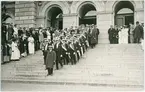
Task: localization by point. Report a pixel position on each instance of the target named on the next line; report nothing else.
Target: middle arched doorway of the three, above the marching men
(87, 14)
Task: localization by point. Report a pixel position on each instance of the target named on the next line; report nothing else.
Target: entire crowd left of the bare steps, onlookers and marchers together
(67, 45)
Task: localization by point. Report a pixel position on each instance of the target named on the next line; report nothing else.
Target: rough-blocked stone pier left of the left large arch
(25, 13)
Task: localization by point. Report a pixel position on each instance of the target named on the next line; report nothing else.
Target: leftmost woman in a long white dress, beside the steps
(15, 51)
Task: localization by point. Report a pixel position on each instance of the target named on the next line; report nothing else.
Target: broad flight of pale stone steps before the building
(106, 66)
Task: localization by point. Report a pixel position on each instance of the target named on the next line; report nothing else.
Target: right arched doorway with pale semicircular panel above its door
(124, 13)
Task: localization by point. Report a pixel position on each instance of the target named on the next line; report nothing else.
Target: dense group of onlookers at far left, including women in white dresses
(17, 43)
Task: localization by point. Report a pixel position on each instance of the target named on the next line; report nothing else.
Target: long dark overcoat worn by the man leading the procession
(50, 58)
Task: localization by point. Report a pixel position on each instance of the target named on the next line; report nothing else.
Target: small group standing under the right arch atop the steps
(130, 34)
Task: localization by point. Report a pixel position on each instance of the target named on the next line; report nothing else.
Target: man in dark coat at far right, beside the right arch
(138, 32)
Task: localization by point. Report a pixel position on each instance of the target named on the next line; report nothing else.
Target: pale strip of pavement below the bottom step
(67, 88)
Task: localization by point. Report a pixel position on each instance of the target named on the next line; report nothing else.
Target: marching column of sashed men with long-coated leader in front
(68, 46)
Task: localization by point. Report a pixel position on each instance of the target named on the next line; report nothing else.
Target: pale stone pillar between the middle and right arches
(104, 20)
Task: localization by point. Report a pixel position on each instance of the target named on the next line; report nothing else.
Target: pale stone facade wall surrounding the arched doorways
(27, 14)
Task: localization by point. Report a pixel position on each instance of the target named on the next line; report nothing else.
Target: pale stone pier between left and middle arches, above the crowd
(70, 20)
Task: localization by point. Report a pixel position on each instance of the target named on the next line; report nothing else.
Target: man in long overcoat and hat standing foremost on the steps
(50, 59)
